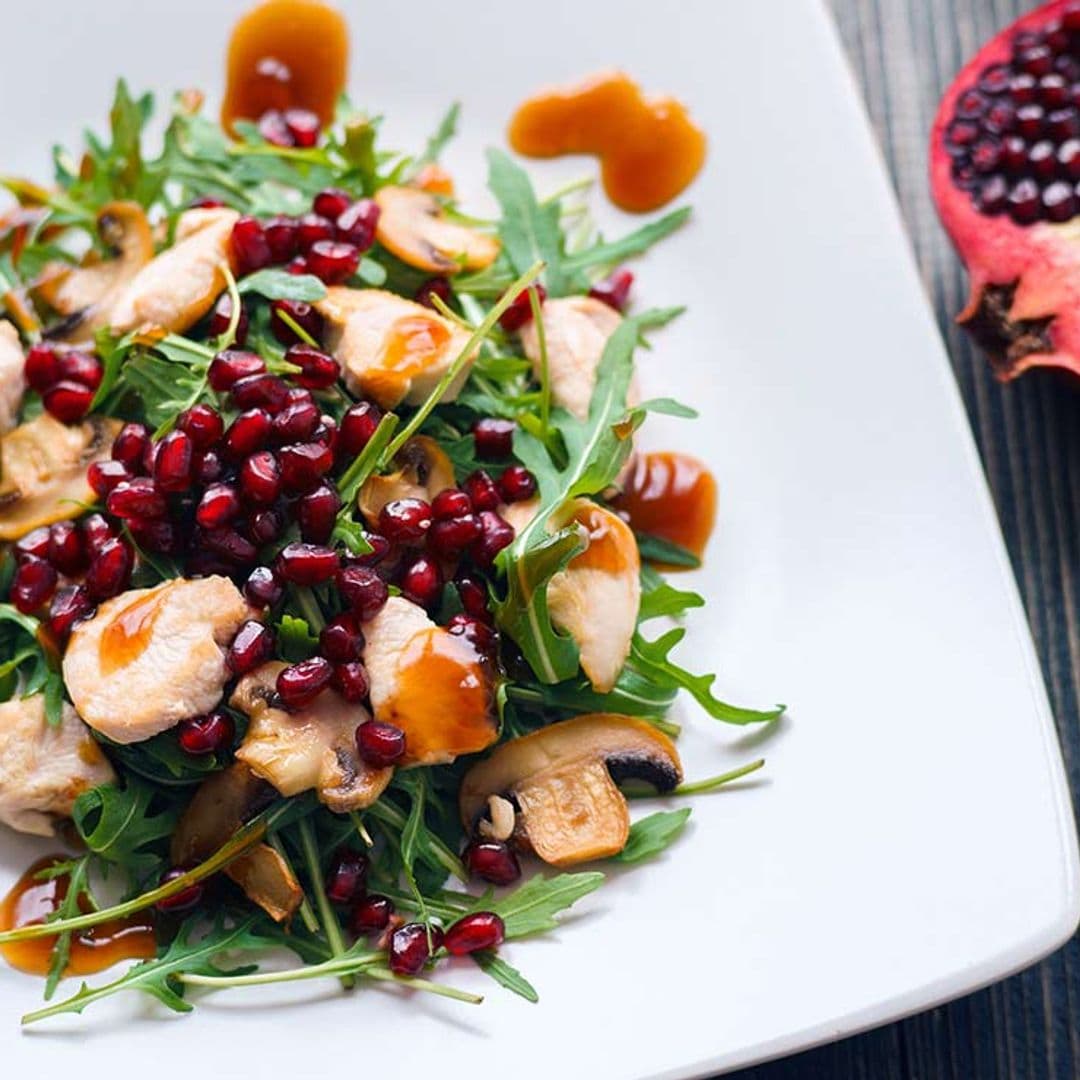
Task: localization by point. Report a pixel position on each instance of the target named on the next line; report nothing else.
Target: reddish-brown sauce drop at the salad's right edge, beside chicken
(671, 496)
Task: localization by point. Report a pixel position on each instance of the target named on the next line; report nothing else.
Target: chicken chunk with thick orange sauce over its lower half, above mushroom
(429, 683)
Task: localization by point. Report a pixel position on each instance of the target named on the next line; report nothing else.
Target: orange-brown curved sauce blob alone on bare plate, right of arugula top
(650, 147)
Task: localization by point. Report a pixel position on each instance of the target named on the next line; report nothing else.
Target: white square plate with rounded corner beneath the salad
(913, 838)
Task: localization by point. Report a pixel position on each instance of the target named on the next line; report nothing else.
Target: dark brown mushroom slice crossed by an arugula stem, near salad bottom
(222, 806)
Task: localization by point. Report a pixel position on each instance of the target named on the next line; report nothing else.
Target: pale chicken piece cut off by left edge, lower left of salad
(45, 769)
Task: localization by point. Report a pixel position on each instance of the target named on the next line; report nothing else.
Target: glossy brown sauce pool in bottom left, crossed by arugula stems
(32, 900)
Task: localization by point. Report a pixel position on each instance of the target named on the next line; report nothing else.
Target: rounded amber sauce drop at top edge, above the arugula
(286, 55)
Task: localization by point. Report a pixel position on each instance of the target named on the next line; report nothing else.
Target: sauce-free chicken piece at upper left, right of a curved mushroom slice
(179, 287)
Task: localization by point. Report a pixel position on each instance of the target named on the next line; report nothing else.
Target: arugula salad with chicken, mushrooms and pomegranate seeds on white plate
(331, 580)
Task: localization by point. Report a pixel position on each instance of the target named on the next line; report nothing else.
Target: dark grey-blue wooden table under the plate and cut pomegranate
(904, 53)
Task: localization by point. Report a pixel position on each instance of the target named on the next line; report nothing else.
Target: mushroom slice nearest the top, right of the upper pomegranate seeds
(414, 227)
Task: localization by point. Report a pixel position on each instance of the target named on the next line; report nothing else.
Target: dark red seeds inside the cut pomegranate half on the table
(1016, 137)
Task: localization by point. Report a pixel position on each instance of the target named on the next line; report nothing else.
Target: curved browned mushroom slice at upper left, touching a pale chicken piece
(85, 295)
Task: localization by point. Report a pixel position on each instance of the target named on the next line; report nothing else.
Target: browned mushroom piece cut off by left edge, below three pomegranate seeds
(44, 471)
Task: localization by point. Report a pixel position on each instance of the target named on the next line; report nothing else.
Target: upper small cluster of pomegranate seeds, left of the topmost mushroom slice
(327, 242)
